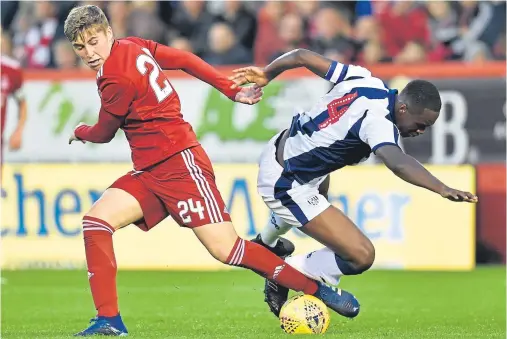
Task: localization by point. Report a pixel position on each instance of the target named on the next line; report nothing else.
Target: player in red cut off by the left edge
(11, 83)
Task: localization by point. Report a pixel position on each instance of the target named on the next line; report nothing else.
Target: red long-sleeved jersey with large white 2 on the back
(137, 96)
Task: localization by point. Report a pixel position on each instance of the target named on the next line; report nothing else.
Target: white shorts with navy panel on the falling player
(294, 203)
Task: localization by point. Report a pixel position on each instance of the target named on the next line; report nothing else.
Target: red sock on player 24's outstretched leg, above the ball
(262, 261)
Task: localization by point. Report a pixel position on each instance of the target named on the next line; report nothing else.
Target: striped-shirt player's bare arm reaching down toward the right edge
(410, 170)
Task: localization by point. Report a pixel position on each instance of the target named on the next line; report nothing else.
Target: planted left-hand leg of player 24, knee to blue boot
(115, 209)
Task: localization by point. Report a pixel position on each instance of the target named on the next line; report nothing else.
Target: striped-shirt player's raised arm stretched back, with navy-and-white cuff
(318, 64)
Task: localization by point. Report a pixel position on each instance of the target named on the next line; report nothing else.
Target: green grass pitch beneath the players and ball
(165, 304)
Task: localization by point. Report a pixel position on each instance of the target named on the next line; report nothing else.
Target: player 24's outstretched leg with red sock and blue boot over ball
(223, 243)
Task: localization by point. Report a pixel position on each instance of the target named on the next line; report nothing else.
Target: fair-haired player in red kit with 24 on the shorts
(172, 174)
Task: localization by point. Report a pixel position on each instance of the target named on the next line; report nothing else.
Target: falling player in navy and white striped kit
(357, 117)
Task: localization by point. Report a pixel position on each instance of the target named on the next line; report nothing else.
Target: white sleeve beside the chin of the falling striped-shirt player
(377, 131)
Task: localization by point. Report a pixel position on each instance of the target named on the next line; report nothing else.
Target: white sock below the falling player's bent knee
(319, 265)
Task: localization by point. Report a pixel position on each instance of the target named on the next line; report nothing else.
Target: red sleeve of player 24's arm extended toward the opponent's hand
(172, 58)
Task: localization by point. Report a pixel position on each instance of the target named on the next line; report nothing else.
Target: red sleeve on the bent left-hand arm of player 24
(103, 131)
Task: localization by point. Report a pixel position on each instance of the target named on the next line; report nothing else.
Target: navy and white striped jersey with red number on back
(348, 123)
